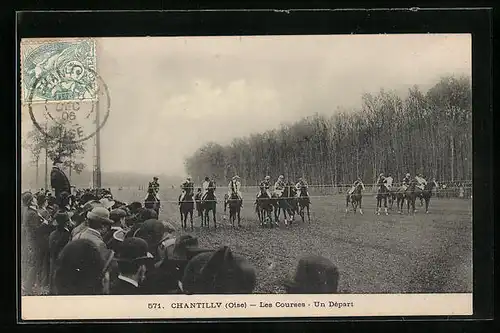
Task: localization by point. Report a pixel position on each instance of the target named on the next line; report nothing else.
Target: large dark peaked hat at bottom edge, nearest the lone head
(219, 272)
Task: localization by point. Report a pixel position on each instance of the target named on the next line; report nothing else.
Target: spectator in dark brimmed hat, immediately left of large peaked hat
(165, 277)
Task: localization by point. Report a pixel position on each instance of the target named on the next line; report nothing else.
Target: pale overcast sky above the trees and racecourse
(182, 92)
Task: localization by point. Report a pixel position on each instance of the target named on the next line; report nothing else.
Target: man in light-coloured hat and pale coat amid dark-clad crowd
(99, 224)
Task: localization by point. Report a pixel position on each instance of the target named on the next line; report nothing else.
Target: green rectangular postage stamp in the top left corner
(58, 69)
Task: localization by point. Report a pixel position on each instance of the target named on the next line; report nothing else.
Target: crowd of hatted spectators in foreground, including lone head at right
(89, 243)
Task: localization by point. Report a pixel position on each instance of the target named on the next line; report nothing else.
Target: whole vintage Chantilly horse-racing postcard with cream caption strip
(246, 176)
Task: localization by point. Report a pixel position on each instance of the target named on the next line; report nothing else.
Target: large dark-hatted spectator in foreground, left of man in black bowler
(82, 269)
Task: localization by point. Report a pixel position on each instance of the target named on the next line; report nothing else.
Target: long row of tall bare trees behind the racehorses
(428, 133)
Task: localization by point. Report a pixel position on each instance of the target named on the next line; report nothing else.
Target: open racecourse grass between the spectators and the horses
(421, 253)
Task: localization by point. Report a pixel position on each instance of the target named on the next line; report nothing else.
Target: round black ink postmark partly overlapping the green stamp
(76, 103)
